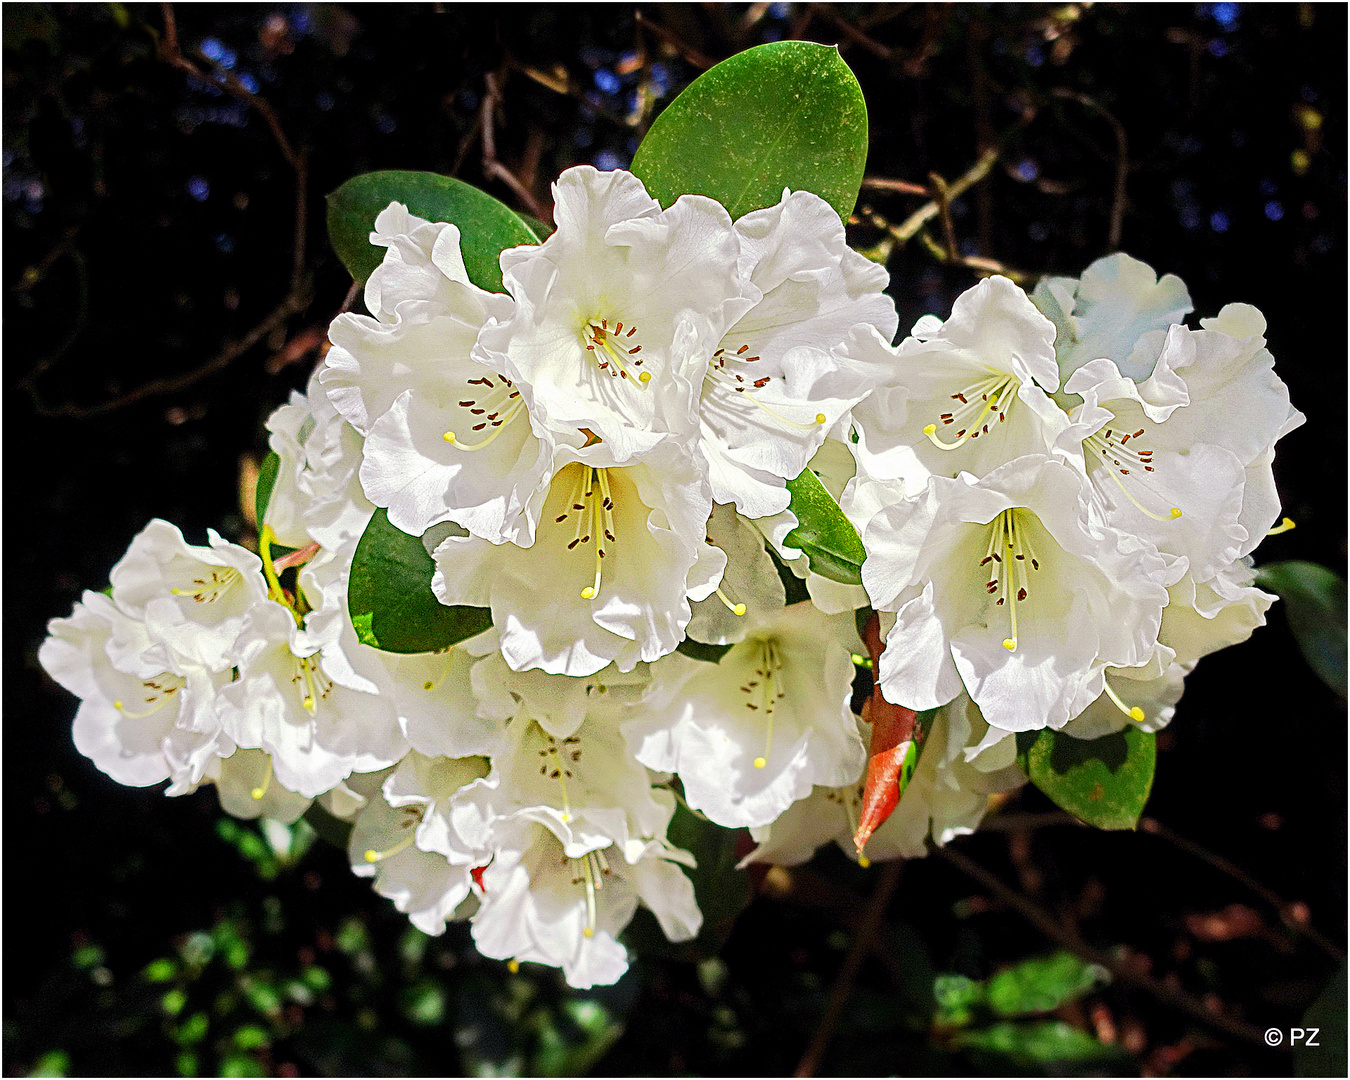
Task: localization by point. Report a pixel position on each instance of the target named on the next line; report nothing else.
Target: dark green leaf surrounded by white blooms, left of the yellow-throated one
(391, 601)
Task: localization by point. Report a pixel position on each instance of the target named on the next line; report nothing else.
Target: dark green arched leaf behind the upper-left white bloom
(485, 225)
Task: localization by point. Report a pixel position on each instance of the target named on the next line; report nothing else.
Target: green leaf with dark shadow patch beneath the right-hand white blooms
(1104, 782)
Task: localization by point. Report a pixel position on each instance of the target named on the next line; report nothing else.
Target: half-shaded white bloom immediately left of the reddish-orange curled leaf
(753, 734)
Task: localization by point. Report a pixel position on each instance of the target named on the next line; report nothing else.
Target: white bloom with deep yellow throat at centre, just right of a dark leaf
(618, 560)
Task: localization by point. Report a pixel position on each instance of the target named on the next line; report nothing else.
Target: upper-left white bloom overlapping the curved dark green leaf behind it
(448, 439)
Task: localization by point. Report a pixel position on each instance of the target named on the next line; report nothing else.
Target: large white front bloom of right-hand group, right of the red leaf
(1004, 587)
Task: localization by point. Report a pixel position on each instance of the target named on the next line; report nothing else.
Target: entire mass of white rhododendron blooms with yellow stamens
(1058, 496)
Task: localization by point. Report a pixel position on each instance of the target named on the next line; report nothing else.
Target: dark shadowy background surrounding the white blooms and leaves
(149, 225)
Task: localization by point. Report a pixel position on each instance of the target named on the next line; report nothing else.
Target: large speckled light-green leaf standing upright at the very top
(781, 115)
